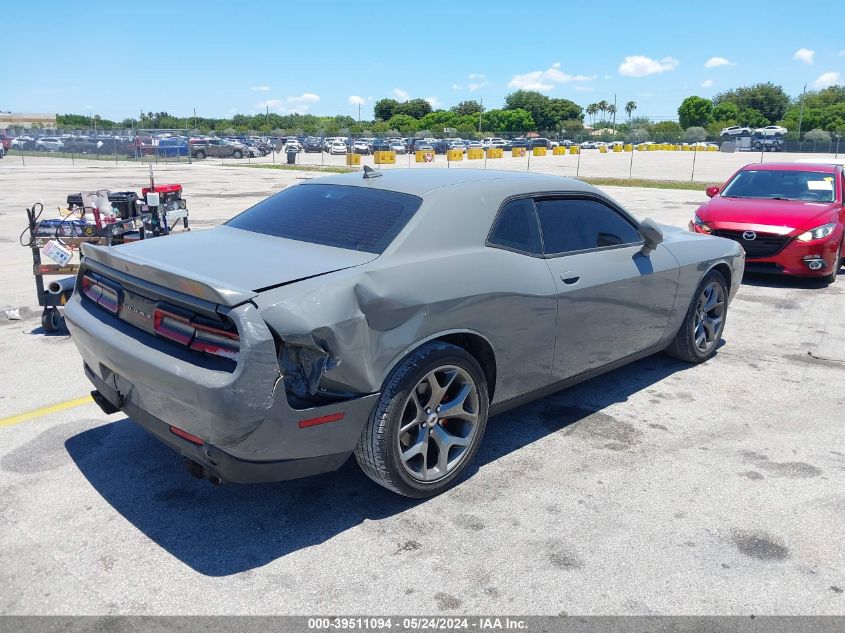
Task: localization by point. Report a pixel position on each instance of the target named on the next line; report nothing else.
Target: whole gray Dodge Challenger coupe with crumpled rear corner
(386, 314)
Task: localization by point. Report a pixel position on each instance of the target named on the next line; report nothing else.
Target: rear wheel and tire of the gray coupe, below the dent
(407, 416)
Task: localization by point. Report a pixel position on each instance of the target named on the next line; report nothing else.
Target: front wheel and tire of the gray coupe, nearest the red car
(687, 344)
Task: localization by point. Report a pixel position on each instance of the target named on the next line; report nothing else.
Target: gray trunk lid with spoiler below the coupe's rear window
(234, 262)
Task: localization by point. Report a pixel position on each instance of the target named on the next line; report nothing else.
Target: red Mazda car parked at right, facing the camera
(789, 217)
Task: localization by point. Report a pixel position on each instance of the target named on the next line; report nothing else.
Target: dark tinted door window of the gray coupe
(577, 224)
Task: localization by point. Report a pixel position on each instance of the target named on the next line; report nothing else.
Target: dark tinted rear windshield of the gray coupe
(354, 218)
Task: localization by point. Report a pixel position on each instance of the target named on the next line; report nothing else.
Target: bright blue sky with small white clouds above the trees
(326, 57)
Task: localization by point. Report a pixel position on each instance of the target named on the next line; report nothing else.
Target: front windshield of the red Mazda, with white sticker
(811, 186)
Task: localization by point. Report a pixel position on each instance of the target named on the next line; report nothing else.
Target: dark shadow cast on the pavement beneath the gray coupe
(234, 528)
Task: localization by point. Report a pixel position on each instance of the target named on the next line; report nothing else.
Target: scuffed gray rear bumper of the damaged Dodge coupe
(243, 418)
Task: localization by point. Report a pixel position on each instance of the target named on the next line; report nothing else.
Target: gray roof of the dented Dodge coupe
(418, 182)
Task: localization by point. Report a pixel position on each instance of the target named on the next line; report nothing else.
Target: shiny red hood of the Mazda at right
(792, 214)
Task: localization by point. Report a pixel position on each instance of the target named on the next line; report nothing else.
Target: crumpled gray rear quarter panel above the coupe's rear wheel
(353, 326)
